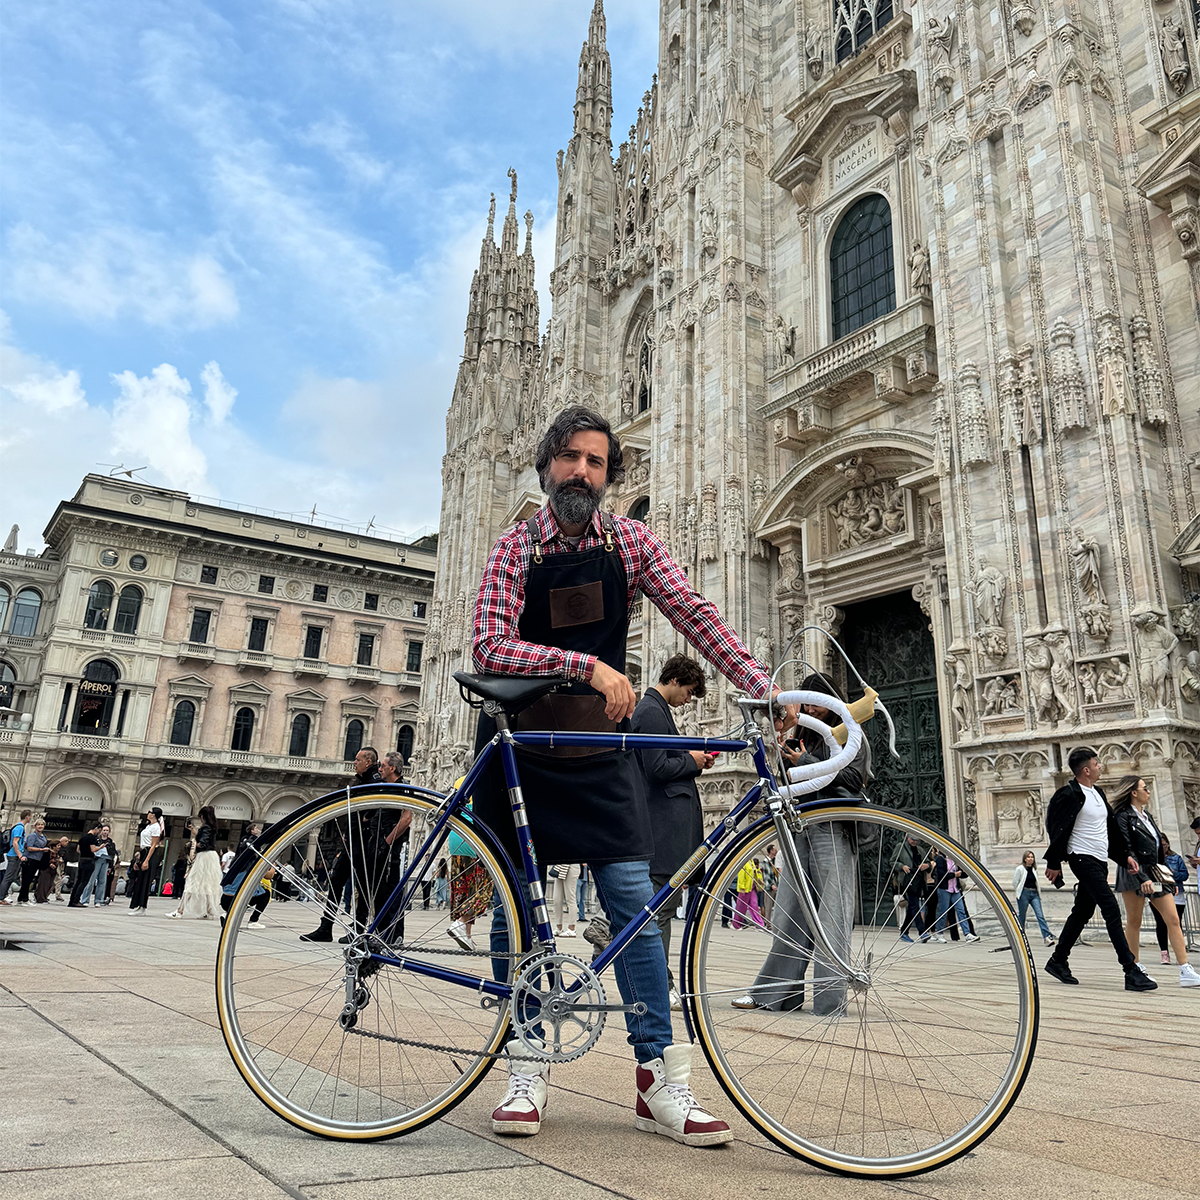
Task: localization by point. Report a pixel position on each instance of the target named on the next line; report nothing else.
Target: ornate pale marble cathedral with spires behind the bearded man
(896, 310)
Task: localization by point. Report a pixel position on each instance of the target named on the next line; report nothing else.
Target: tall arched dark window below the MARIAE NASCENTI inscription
(862, 271)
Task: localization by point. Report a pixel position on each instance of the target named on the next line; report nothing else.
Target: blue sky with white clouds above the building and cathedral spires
(237, 239)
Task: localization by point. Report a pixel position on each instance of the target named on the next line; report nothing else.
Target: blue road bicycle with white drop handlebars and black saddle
(839, 1035)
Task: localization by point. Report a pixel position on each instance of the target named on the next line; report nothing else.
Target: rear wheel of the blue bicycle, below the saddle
(419, 1046)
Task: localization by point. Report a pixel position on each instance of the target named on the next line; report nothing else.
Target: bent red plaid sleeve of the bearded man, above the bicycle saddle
(499, 646)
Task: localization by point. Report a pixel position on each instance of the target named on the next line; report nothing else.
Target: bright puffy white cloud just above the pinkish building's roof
(152, 422)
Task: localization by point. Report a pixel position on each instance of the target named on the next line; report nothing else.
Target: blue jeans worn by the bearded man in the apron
(623, 890)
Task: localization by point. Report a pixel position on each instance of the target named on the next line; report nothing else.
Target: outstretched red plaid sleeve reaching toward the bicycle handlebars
(664, 583)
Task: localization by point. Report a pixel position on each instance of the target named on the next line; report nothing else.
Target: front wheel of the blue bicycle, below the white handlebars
(908, 1063)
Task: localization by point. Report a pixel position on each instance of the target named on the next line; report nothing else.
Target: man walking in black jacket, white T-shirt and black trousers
(1084, 832)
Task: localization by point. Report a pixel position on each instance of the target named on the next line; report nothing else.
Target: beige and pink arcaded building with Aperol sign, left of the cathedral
(177, 653)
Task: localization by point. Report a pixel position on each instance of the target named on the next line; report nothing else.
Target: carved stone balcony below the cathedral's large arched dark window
(889, 362)
